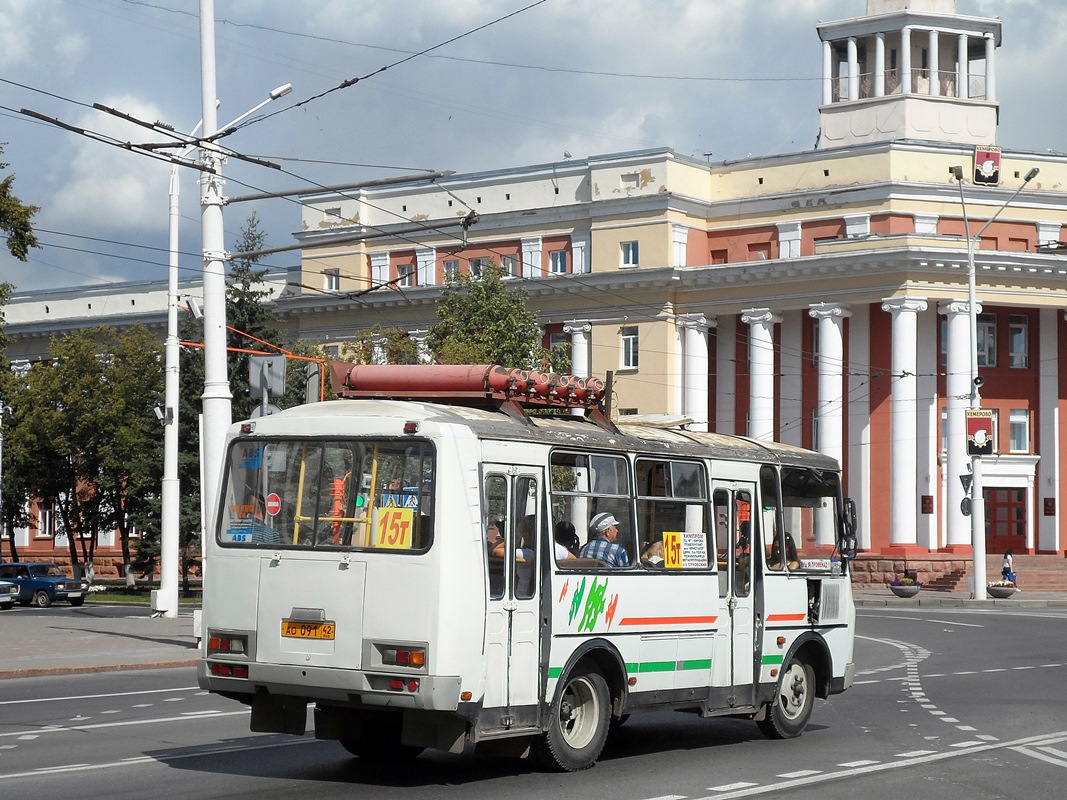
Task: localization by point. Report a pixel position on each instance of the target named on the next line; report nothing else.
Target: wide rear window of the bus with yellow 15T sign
(348, 494)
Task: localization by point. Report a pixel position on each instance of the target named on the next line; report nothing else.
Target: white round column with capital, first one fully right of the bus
(903, 498)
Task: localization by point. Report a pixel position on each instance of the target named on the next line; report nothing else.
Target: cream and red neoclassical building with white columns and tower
(817, 298)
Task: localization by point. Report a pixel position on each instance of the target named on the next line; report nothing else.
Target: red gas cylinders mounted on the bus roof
(511, 390)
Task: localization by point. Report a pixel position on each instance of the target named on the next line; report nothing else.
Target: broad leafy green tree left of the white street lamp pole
(86, 440)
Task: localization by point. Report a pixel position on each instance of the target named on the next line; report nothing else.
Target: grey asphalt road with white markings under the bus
(949, 703)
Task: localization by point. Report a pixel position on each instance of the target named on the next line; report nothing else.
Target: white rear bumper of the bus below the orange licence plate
(343, 687)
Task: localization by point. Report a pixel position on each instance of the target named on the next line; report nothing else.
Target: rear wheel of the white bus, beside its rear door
(578, 724)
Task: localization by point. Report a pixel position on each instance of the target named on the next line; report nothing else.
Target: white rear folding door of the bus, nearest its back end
(514, 506)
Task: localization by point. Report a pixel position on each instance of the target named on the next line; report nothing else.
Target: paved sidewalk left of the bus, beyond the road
(86, 641)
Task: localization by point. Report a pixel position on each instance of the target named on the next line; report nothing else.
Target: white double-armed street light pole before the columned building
(978, 485)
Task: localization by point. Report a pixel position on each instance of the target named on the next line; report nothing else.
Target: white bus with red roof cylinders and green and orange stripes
(349, 568)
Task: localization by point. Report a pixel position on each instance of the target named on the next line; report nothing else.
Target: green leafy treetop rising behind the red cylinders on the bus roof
(484, 321)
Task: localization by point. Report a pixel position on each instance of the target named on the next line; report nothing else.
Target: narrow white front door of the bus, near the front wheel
(738, 545)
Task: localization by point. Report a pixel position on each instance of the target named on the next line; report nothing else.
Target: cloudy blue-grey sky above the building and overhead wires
(518, 83)
